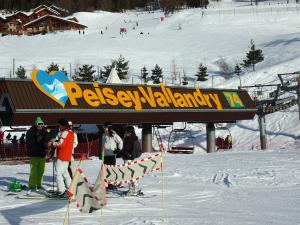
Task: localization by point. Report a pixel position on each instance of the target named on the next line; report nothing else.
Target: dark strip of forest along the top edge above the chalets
(106, 5)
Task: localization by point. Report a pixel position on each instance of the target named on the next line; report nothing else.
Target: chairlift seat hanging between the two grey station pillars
(174, 135)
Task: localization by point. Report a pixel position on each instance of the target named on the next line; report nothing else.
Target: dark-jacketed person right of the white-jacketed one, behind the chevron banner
(130, 151)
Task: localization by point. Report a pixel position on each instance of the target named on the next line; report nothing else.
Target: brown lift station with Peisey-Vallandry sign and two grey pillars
(54, 96)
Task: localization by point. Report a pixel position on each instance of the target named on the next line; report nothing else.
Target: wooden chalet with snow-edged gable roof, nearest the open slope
(51, 23)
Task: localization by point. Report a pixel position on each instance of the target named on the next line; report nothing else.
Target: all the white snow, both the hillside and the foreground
(243, 186)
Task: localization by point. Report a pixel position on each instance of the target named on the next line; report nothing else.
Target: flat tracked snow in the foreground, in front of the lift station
(239, 187)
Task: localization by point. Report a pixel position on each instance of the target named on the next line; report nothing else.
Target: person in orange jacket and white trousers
(63, 143)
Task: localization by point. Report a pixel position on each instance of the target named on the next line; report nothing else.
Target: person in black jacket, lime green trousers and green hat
(37, 145)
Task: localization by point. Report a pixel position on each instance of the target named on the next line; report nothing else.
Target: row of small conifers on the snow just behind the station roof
(87, 72)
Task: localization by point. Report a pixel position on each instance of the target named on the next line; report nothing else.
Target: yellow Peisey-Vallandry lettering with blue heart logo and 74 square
(59, 88)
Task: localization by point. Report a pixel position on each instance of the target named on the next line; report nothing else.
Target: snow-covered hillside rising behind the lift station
(223, 31)
